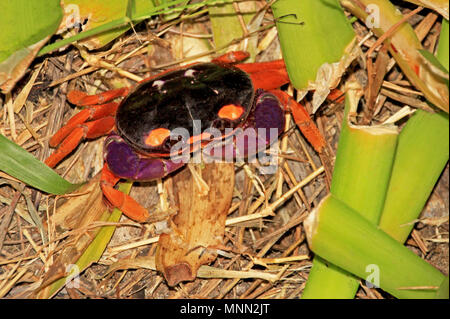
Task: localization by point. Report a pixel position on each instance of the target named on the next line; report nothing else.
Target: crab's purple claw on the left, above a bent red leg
(124, 162)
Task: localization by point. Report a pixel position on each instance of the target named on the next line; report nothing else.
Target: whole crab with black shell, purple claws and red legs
(225, 96)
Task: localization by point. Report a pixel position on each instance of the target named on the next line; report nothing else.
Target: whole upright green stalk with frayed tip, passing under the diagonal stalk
(360, 179)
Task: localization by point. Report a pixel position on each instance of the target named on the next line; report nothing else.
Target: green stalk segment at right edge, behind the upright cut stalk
(422, 154)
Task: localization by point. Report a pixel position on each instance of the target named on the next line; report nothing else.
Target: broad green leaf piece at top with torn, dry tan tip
(317, 42)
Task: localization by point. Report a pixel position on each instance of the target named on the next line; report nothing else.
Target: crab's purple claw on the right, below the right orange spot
(263, 126)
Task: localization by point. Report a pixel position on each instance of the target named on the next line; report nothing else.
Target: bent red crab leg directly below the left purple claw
(120, 200)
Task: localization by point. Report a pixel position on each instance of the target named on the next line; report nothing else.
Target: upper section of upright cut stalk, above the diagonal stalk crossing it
(363, 167)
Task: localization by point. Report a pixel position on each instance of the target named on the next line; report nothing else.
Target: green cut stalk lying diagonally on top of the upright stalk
(340, 234)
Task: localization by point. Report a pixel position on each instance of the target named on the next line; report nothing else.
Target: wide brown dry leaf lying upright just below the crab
(198, 228)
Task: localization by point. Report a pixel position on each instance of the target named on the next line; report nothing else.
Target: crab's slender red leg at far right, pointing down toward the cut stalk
(302, 119)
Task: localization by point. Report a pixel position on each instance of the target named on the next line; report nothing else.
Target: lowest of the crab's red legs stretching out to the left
(85, 130)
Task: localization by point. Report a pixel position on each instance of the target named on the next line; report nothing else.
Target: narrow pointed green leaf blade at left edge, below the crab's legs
(20, 164)
